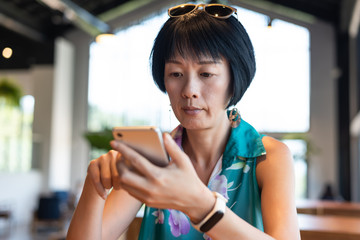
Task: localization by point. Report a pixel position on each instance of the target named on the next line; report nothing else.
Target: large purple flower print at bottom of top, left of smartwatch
(179, 223)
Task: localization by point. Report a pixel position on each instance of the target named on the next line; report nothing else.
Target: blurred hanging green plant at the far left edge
(10, 92)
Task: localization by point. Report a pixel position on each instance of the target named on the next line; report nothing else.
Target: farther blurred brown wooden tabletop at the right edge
(320, 207)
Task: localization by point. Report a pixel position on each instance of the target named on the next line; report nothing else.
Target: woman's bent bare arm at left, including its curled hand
(95, 217)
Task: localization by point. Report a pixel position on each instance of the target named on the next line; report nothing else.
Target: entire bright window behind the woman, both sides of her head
(122, 92)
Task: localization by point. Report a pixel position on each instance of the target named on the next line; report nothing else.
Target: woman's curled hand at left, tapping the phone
(103, 173)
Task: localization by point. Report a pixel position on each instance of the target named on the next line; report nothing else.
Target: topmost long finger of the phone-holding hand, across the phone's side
(135, 160)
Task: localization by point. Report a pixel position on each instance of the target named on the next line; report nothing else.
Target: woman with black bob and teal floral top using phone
(224, 181)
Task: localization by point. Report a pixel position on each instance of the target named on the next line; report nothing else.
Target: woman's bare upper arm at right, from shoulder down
(277, 182)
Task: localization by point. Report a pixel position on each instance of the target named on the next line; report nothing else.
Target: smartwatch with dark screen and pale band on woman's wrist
(214, 216)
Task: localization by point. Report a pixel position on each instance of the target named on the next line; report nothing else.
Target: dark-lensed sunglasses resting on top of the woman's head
(215, 10)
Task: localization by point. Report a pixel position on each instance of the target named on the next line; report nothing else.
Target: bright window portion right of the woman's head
(282, 76)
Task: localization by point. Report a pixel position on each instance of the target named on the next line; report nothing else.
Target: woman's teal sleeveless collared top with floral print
(234, 177)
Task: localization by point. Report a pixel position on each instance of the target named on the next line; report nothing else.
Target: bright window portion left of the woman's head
(121, 89)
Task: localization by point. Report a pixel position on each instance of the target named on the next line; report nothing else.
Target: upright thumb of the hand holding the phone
(178, 157)
